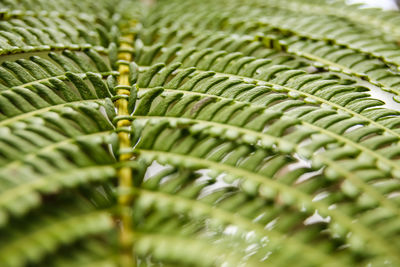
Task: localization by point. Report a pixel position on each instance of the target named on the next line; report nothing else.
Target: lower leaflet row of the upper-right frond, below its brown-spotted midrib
(355, 61)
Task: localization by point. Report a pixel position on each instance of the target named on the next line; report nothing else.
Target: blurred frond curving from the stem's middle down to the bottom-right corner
(242, 166)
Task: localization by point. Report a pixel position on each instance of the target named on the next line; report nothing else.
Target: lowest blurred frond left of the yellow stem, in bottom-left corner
(29, 242)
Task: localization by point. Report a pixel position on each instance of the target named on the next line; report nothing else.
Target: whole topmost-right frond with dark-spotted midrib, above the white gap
(318, 38)
